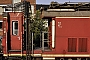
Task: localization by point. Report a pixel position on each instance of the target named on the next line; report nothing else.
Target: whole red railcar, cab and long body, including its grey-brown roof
(69, 36)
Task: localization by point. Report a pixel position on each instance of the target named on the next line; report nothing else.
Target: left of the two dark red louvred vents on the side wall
(72, 44)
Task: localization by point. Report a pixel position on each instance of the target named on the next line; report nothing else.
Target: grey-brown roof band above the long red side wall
(66, 14)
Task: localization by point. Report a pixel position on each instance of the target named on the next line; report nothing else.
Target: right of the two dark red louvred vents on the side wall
(82, 45)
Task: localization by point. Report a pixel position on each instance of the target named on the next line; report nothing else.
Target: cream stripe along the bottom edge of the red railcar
(52, 55)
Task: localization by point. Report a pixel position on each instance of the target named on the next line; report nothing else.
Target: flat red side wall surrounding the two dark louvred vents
(71, 28)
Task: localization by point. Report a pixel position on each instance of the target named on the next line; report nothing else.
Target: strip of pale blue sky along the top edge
(59, 1)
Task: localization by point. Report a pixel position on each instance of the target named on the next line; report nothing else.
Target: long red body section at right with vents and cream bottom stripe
(71, 38)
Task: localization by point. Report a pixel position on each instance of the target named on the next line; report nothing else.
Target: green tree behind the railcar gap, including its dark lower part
(37, 26)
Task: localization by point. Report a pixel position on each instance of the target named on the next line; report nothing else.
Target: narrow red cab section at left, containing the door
(13, 30)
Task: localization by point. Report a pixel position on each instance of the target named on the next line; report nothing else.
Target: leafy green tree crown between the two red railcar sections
(38, 24)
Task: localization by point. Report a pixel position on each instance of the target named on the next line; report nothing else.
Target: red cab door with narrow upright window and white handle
(16, 30)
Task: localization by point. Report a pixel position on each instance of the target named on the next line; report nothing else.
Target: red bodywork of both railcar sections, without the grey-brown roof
(72, 37)
